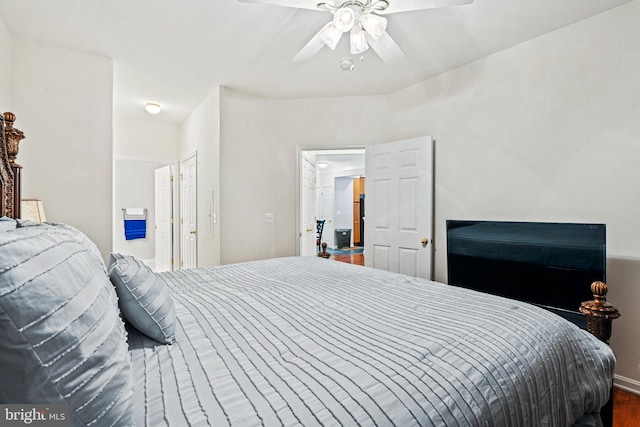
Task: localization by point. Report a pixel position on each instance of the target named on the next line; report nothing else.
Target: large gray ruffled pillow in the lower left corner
(63, 341)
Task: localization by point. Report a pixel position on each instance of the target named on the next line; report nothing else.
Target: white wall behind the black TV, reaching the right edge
(547, 130)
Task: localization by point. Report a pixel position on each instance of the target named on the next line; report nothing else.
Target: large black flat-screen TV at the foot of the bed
(549, 264)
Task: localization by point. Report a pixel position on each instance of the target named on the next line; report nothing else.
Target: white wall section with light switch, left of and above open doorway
(259, 138)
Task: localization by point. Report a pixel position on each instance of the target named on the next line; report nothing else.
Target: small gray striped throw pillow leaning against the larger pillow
(143, 297)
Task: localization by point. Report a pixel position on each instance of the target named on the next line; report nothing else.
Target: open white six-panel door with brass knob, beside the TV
(399, 206)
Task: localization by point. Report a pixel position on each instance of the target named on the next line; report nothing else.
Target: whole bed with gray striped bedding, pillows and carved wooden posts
(293, 341)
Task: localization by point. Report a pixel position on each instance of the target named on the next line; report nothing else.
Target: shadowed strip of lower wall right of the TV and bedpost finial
(623, 278)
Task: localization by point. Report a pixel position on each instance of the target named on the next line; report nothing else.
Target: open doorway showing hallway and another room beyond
(322, 199)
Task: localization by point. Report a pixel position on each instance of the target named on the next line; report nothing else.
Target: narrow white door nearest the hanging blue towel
(163, 218)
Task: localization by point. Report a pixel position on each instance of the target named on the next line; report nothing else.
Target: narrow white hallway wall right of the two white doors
(200, 133)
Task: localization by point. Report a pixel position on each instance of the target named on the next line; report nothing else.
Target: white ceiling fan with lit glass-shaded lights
(362, 19)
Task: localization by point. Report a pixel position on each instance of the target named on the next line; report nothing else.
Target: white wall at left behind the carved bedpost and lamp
(62, 101)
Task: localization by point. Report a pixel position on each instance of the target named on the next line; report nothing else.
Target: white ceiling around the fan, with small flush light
(176, 52)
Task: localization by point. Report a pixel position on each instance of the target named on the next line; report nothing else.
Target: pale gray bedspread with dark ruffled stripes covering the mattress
(309, 341)
